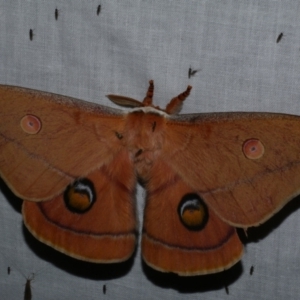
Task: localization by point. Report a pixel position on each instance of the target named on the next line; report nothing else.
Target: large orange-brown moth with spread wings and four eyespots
(77, 164)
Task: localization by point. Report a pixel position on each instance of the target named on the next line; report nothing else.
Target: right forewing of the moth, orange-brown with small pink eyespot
(246, 166)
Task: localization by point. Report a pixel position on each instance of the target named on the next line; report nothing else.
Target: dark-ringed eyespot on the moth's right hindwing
(193, 212)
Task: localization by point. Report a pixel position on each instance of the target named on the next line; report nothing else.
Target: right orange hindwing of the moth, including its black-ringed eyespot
(180, 233)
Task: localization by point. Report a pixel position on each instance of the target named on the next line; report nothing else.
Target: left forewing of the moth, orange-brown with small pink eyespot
(74, 139)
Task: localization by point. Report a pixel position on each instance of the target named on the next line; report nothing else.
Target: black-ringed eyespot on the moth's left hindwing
(80, 196)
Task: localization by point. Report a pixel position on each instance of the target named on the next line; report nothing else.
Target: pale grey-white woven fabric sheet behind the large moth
(86, 56)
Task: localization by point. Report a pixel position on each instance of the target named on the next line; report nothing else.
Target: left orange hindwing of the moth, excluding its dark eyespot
(105, 233)
